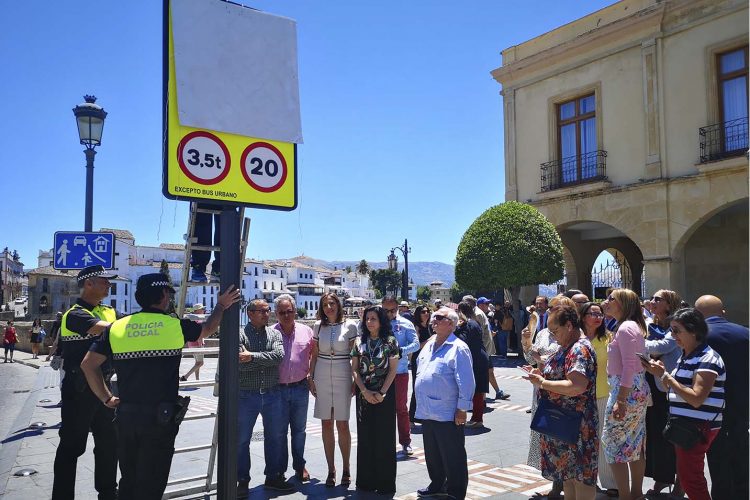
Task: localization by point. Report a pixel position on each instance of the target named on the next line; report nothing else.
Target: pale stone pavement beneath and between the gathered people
(497, 453)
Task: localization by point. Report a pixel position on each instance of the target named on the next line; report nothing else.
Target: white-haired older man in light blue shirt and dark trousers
(444, 388)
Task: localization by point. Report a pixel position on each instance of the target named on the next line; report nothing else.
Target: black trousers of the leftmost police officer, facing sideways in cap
(83, 412)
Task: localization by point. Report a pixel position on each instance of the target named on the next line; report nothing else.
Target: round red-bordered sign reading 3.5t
(203, 157)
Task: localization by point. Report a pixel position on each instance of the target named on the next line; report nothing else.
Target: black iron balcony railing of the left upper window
(579, 169)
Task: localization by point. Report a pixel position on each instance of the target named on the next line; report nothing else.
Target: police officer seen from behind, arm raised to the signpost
(146, 348)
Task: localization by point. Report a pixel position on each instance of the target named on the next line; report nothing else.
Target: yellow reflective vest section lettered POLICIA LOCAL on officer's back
(146, 335)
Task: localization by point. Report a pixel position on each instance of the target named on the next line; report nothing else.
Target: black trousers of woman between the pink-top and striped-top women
(661, 461)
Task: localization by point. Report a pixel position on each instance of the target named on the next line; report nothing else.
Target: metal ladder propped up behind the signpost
(191, 245)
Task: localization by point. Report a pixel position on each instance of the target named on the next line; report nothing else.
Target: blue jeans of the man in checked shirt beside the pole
(268, 405)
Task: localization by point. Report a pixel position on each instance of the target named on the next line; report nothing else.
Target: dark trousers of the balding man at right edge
(728, 461)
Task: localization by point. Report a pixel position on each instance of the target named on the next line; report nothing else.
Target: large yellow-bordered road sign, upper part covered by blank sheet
(203, 164)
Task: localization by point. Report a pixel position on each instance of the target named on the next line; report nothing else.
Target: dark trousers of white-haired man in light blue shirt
(445, 455)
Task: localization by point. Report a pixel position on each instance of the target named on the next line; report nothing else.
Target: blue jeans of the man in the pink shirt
(294, 415)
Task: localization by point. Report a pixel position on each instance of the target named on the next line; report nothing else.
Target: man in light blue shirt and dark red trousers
(408, 342)
